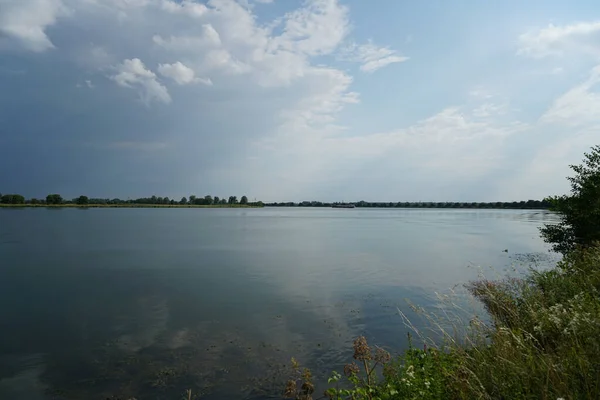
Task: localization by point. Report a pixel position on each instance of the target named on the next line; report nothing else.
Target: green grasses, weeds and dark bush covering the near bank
(541, 340)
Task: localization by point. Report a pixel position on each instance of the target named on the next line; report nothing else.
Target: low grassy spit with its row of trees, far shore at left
(56, 200)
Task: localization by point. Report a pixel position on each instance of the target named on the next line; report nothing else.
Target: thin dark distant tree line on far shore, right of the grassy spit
(530, 204)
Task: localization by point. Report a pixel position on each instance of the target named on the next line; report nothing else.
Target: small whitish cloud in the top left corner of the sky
(27, 20)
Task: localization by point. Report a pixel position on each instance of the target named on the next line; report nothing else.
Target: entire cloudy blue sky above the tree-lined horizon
(285, 100)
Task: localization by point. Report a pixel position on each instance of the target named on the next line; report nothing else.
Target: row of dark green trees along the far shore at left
(57, 199)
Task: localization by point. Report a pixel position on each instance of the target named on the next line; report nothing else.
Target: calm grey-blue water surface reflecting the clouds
(149, 302)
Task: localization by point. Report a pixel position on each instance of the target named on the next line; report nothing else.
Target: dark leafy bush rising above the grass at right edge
(579, 211)
